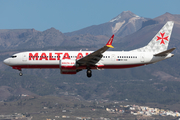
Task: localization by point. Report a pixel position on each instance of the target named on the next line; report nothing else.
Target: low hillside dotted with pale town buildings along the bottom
(66, 107)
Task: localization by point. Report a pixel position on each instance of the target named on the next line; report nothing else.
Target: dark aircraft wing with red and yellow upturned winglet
(94, 57)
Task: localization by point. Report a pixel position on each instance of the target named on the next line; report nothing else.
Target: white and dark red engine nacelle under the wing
(68, 66)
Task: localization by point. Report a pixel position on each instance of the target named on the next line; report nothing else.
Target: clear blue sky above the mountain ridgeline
(71, 15)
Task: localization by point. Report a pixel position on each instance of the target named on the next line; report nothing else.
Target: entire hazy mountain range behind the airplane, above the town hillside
(131, 31)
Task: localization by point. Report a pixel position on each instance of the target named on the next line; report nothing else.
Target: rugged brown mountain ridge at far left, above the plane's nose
(30, 38)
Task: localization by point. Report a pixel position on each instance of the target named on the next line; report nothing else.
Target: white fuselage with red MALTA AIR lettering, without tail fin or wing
(110, 59)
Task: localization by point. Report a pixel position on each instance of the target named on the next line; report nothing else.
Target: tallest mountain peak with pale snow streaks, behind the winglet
(124, 24)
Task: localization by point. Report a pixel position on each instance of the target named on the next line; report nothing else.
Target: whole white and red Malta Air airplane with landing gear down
(71, 62)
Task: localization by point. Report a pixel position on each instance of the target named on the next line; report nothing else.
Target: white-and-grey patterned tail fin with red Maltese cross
(160, 41)
